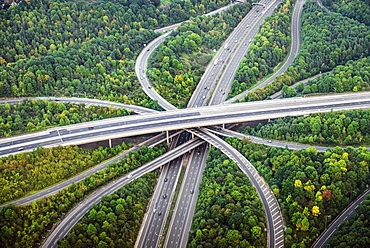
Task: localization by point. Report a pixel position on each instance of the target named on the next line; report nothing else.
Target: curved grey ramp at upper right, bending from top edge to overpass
(294, 50)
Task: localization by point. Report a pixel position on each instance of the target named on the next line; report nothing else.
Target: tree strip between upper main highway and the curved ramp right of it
(269, 47)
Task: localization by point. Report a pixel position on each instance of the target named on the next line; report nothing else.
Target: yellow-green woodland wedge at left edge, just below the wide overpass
(23, 173)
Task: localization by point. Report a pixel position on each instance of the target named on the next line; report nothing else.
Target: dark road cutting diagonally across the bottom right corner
(325, 237)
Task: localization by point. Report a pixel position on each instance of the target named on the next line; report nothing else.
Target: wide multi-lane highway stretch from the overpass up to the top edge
(227, 59)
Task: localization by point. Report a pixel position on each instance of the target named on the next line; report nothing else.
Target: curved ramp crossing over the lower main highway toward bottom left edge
(73, 216)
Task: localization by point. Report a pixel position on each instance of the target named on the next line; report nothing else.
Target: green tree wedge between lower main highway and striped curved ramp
(229, 212)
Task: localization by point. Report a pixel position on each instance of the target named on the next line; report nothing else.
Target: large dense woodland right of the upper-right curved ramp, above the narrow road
(328, 39)
